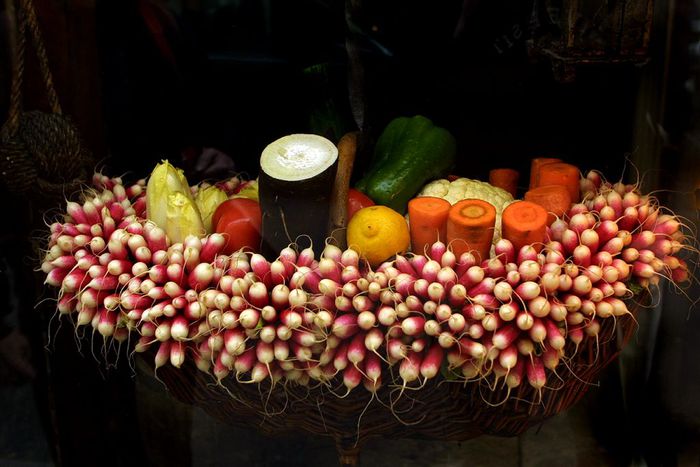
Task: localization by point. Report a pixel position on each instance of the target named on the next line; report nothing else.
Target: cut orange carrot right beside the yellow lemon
(427, 216)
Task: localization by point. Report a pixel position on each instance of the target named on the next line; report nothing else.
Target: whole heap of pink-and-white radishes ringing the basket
(308, 318)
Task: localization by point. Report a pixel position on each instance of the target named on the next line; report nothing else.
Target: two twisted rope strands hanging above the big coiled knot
(27, 21)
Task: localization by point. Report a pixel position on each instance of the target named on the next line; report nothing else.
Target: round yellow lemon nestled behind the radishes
(377, 233)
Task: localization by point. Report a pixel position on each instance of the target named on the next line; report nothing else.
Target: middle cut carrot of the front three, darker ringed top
(470, 226)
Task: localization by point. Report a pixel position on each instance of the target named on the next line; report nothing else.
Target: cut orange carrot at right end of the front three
(524, 223)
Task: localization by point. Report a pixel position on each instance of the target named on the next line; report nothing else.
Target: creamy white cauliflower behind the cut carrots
(463, 188)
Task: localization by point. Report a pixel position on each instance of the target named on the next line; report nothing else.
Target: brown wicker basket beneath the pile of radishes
(457, 411)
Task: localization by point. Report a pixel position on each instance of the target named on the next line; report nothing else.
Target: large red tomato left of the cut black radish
(239, 220)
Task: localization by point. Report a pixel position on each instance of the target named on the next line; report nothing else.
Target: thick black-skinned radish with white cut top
(295, 183)
